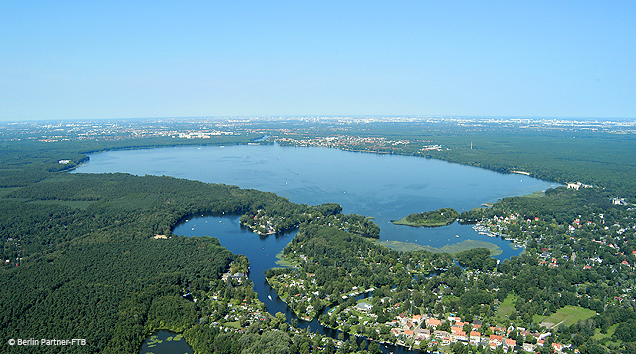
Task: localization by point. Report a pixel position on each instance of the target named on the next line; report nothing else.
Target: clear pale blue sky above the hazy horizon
(120, 59)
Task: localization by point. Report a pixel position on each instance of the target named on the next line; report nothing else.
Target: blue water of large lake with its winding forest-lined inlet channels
(386, 187)
